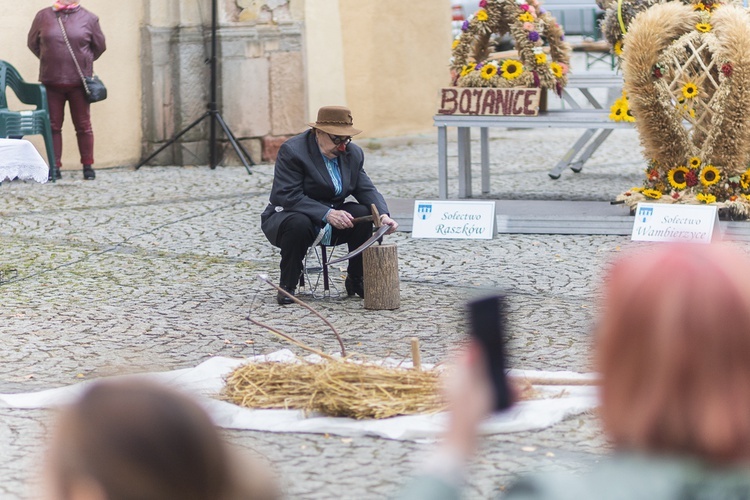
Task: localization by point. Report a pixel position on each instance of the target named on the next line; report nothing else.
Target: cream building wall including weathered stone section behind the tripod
(278, 61)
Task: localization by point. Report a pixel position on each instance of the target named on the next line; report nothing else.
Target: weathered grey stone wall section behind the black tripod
(260, 82)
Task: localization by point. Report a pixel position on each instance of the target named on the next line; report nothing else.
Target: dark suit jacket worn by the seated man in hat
(301, 183)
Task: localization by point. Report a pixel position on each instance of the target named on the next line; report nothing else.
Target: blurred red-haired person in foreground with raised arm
(673, 350)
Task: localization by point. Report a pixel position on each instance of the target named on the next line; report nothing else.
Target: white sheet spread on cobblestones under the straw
(207, 380)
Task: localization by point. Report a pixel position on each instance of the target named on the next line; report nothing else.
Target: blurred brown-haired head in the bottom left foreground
(128, 440)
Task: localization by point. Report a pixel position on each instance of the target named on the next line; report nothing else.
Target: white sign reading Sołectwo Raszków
(454, 219)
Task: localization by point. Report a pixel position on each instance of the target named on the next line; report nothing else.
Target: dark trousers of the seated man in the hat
(298, 232)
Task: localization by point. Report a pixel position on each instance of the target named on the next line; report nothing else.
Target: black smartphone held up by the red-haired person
(487, 326)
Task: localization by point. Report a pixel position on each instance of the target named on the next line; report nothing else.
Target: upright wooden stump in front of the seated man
(381, 277)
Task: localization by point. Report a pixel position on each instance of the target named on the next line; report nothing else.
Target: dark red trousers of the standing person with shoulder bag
(80, 112)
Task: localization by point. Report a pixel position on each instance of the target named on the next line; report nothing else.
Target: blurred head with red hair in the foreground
(673, 349)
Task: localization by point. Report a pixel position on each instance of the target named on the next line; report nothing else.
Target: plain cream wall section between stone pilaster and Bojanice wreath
(385, 59)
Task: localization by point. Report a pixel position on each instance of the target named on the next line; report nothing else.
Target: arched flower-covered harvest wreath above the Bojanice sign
(473, 64)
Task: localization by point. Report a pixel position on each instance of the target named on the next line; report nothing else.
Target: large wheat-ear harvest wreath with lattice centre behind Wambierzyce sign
(687, 75)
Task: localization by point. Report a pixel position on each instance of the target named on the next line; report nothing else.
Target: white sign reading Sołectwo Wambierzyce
(661, 222)
